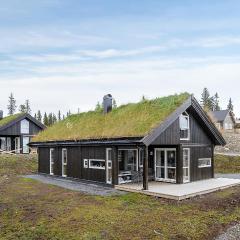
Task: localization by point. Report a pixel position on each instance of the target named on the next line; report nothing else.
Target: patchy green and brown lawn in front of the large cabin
(32, 210)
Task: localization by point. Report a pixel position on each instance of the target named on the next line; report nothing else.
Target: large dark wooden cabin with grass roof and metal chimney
(167, 139)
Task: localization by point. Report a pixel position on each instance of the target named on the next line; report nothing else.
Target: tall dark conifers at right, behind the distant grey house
(211, 103)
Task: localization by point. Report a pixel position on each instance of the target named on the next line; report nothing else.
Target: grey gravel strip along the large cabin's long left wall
(75, 185)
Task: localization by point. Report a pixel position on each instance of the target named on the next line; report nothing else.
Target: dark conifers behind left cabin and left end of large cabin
(47, 119)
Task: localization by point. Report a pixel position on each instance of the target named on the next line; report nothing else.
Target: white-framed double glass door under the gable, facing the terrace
(165, 164)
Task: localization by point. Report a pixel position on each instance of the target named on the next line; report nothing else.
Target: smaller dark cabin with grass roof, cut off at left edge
(16, 132)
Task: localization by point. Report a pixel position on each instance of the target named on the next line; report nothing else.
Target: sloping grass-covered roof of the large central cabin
(131, 120)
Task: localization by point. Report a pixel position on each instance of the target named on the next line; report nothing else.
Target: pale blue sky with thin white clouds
(67, 54)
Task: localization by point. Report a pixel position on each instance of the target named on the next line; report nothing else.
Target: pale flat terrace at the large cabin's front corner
(181, 191)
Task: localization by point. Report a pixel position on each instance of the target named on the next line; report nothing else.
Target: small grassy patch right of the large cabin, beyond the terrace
(227, 164)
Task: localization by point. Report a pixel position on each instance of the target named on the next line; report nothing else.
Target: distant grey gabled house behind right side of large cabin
(223, 119)
